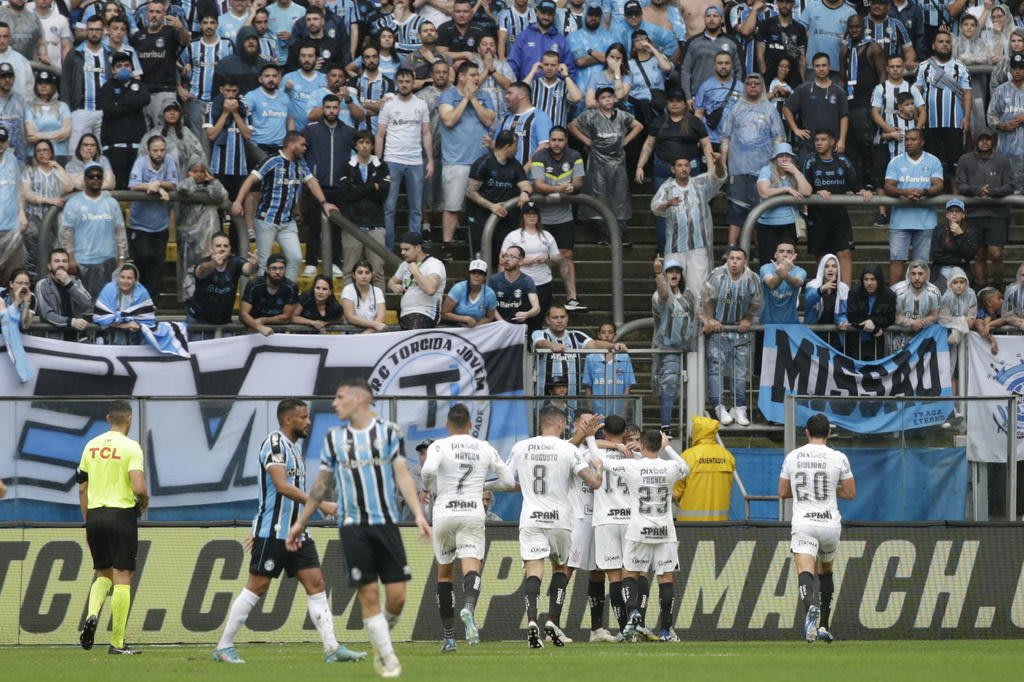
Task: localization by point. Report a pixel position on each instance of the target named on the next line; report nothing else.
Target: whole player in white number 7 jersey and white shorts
(458, 467)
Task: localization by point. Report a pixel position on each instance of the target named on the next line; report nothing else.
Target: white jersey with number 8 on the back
(547, 470)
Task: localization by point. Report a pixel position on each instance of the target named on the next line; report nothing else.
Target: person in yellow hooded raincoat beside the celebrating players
(704, 496)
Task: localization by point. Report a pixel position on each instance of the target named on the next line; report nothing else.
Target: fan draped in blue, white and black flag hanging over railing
(125, 310)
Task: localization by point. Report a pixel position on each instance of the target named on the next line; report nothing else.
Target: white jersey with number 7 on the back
(459, 466)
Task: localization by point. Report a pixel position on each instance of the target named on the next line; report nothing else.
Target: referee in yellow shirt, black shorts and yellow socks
(113, 494)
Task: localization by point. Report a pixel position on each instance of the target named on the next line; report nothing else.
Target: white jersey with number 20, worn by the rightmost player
(815, 473)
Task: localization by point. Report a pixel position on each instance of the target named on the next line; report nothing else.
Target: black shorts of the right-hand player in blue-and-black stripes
(372, 553)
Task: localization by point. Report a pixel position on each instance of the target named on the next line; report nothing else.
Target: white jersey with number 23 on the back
(651, 484)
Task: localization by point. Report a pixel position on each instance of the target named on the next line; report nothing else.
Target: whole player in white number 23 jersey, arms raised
(651, 537)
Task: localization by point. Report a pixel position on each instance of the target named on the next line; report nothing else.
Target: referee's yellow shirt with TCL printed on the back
(108, 459)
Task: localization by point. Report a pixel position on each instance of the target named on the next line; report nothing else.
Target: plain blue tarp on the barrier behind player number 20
(893, 484)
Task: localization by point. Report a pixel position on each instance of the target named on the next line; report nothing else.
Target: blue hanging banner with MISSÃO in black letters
(798, 362)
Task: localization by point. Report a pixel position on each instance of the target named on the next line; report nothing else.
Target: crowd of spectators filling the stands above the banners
(285, 112)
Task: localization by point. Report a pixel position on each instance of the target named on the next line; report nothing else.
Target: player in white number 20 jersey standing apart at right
(815, 477)
